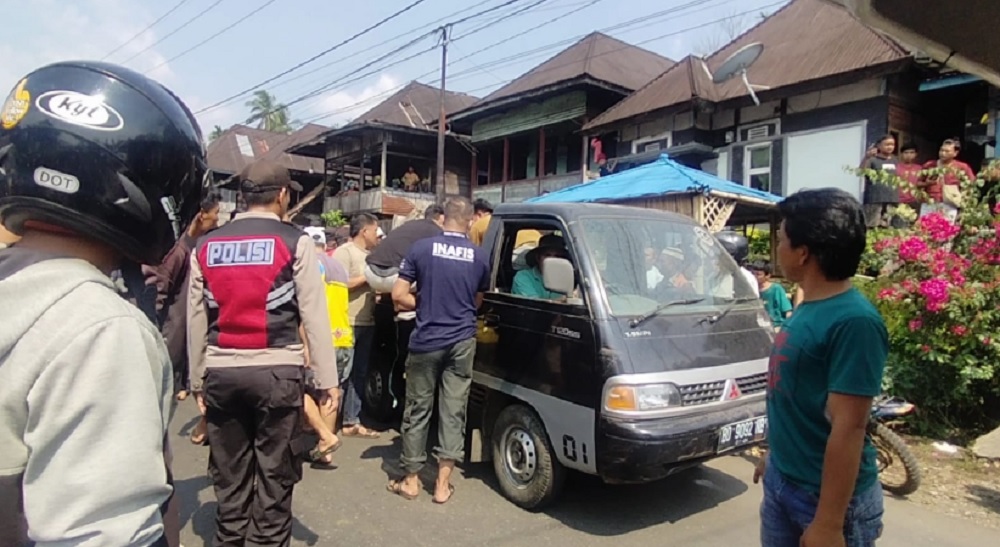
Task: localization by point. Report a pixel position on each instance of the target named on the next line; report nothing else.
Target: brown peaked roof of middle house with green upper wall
(598, 56)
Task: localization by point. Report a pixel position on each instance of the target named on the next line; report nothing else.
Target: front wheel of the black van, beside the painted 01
(523, 460)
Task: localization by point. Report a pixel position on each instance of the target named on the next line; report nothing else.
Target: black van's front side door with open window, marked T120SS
(539, 348)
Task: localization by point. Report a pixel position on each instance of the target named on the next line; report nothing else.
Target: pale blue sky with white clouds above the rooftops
(275, 35)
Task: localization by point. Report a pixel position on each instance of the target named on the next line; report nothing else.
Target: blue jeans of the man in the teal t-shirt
(788, 509)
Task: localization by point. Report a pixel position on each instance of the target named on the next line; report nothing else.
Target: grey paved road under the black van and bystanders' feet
(715, 505)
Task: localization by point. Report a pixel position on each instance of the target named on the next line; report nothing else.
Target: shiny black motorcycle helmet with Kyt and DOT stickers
(101, 151)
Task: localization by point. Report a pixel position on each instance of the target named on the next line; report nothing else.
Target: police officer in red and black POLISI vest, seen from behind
(253, 282)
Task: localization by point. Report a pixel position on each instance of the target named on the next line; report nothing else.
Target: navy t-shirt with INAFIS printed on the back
(449, 270)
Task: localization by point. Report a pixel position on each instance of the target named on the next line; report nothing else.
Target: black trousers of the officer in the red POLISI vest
(255, 443)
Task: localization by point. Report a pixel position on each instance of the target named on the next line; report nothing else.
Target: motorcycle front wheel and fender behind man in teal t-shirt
(891, 448)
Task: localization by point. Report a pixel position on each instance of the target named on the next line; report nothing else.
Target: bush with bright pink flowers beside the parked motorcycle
(938, 288)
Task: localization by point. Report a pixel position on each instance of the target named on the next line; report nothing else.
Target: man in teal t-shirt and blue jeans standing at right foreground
(825, 368)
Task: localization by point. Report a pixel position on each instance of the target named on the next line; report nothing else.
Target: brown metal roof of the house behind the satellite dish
(804, 40)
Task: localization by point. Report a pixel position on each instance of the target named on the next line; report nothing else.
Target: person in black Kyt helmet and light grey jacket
(99, 167)
